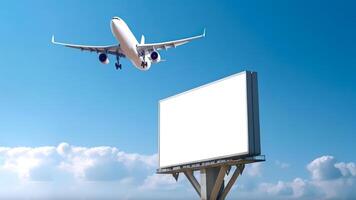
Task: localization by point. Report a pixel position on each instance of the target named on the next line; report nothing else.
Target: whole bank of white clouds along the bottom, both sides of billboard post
(72, 172)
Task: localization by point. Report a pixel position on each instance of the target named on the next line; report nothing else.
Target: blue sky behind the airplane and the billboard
(304, 53)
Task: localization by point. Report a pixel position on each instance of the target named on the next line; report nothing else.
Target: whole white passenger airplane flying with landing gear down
(142, 54)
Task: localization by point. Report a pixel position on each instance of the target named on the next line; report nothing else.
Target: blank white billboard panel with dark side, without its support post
(215, 121)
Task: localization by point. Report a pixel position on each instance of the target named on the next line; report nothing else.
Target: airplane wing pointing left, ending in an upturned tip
(109, 49)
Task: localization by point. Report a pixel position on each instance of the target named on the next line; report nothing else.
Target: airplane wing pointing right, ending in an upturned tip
(166, 45)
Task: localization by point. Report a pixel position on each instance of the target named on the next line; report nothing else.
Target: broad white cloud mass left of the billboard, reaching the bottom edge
(72, 172)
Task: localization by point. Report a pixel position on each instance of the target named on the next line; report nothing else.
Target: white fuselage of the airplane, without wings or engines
(128, 43)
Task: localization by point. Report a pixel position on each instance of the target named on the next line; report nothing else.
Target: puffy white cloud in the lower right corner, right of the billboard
(329, 179)
